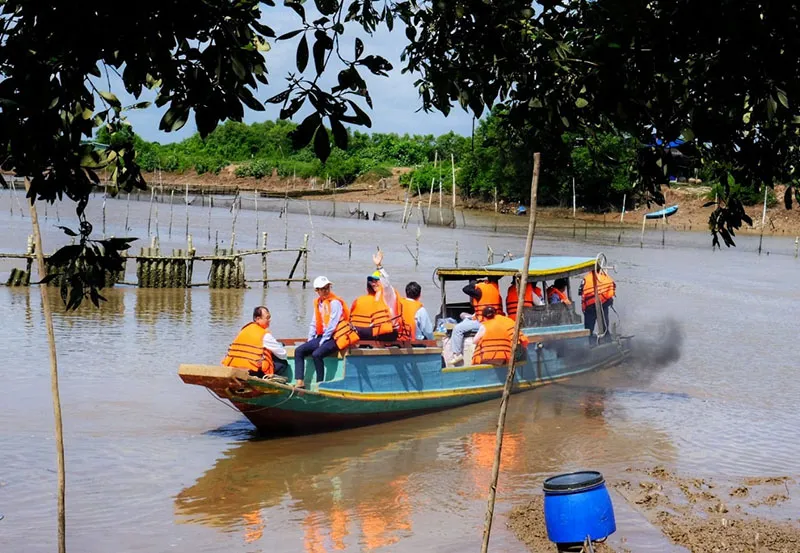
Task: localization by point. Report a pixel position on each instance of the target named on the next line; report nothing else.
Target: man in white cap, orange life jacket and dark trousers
(328, 332)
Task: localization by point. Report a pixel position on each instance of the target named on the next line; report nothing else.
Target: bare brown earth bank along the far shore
(691, 215)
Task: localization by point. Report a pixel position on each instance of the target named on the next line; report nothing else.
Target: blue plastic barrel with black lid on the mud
(577, 505)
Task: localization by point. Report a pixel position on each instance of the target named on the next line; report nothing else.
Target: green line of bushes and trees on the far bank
(497, 159)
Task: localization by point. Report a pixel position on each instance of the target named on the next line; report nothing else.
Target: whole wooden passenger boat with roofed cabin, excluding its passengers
(375, 382)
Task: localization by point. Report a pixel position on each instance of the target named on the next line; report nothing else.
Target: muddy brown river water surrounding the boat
(155, 465)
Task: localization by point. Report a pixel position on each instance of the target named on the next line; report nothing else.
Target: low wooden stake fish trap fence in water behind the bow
(156, 269)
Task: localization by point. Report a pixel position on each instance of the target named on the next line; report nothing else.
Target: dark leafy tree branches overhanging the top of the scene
(722, 74)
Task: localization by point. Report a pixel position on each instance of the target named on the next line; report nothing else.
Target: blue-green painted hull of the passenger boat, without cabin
(375, 387)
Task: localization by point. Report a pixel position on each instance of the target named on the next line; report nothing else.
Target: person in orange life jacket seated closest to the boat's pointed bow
(256, 349)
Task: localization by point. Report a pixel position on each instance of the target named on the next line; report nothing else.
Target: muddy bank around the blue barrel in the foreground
(699, 514)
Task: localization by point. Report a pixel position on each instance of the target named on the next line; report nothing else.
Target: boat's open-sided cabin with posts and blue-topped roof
(542, 272)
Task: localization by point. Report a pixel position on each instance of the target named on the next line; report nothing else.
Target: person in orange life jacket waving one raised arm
(375, 315)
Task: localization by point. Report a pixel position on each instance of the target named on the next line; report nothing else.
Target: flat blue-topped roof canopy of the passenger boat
(549, 267)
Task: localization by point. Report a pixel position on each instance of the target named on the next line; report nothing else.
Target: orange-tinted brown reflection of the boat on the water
(364, 486)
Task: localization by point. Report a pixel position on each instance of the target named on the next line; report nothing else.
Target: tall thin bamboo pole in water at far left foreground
(51, 342)
